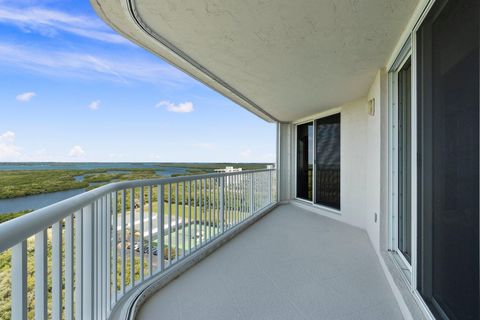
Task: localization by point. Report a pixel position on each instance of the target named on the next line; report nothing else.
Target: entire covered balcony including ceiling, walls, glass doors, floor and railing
(371, 212)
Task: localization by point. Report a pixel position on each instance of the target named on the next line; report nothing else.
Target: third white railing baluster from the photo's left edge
(57, 270)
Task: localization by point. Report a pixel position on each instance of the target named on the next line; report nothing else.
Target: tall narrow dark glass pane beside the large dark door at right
(404, 161)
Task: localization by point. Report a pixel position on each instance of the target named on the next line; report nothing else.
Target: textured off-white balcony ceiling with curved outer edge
(282, 60)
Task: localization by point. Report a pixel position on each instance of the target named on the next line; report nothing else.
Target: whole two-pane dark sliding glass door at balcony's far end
(318, 161)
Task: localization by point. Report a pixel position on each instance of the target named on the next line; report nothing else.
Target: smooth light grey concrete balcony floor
(292, 264)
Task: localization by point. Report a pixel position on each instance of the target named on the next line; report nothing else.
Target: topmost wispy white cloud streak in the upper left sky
(50, 23)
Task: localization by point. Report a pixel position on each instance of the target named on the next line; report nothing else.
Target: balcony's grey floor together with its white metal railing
(276, 261)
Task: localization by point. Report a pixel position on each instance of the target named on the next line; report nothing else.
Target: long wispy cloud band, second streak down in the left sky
(88, 65)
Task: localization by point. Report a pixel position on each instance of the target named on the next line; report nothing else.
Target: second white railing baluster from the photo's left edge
(41, 290)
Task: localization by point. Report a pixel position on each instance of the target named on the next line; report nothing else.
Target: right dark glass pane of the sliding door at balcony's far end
(327, 161)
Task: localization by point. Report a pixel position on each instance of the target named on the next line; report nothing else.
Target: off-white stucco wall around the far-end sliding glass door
(361, 139)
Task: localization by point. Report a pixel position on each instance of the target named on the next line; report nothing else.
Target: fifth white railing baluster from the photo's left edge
(78, 264)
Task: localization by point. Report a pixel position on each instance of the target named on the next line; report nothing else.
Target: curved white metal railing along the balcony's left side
(88, 252)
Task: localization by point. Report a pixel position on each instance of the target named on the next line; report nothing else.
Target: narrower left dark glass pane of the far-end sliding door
(304, 161)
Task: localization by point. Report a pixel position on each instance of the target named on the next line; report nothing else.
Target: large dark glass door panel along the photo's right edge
(448, 105)
